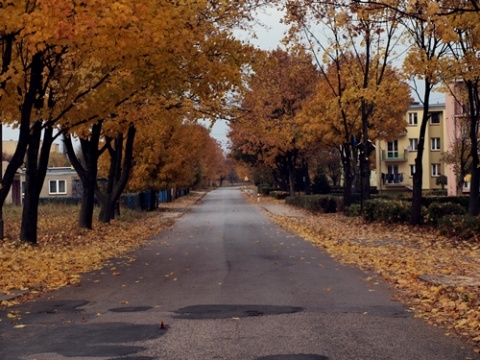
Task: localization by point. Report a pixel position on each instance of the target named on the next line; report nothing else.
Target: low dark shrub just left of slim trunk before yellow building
(386, 210)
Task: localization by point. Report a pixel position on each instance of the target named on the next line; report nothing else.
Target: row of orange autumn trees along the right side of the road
(356, 93)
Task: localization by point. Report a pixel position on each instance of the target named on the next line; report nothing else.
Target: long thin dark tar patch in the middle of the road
(202, 312)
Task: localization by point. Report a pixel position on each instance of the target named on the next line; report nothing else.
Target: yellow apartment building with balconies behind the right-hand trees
(396, 158)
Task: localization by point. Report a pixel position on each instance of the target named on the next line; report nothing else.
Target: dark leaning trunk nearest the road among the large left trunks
(120, 167)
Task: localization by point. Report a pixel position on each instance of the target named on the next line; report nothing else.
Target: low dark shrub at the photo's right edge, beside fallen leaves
(464, 227)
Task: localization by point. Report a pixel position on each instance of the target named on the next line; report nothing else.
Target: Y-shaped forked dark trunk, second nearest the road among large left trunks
(87, 172)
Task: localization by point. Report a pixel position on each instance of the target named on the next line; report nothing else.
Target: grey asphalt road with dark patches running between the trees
(225, 283)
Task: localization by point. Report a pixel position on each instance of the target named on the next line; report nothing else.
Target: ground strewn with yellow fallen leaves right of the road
(437, 277)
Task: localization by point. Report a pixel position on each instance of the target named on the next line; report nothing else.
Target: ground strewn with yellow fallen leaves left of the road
(65, 251)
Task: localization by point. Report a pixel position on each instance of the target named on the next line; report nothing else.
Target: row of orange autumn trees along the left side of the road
(123, 78)
